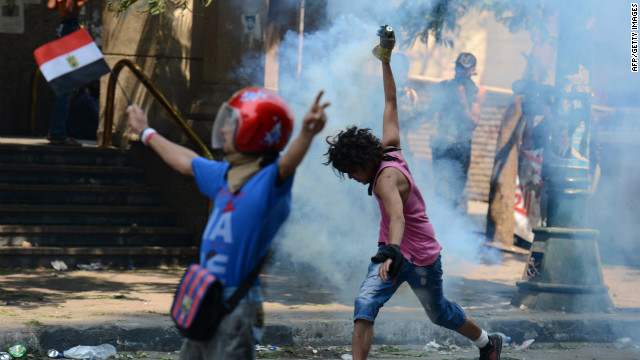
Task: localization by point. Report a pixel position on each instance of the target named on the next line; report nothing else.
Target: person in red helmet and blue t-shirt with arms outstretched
(251, 193)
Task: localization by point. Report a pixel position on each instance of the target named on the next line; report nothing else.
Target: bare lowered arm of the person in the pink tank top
(388, 189)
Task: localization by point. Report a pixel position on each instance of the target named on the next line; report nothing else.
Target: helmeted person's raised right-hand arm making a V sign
(312, 124)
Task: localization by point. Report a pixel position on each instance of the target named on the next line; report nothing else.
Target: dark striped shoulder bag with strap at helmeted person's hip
(198, 308)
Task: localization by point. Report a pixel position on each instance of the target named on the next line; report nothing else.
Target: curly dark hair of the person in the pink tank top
(353, 150)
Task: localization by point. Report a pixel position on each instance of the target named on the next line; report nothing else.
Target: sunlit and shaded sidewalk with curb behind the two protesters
(45, 309)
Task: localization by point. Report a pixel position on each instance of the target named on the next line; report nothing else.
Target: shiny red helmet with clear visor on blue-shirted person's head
(263, 121)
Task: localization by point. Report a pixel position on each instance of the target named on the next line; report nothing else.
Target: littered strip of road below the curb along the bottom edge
(546, 351)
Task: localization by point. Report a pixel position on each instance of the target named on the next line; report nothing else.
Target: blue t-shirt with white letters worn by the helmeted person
(241, 226)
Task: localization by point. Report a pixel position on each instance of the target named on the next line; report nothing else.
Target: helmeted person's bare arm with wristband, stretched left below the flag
(176, 156)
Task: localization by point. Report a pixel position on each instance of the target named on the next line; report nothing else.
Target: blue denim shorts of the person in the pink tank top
(426, 283)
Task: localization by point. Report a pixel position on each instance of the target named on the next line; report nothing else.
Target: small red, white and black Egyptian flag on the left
(71, 61)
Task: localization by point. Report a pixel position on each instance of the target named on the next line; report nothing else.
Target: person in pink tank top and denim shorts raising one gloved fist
(407, 247)
